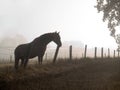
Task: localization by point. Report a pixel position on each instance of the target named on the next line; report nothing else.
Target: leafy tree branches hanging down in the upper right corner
(111, 14)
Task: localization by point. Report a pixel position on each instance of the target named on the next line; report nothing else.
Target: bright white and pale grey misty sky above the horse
(77, 20)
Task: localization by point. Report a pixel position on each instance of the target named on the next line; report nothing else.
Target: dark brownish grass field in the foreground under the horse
(83, 74)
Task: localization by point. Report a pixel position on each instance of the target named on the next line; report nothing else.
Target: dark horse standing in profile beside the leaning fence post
(35, 48)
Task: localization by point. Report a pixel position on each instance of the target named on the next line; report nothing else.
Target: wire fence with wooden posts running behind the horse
(69, 52)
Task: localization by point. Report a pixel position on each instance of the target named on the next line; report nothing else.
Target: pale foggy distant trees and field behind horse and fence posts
(8, 45)
